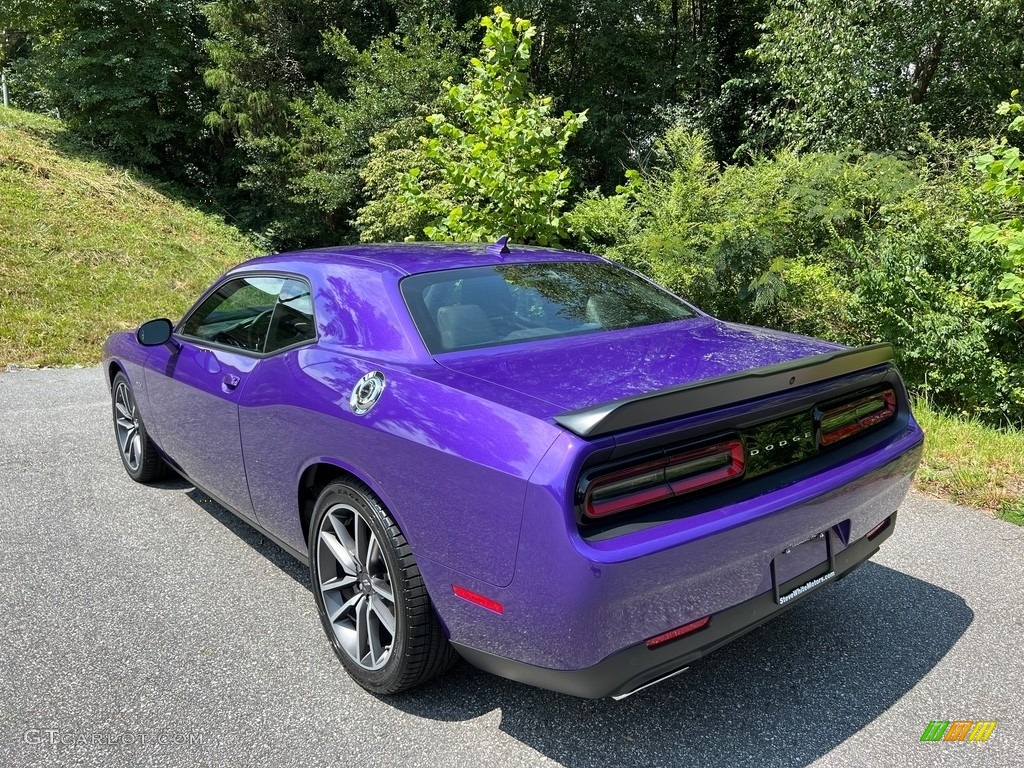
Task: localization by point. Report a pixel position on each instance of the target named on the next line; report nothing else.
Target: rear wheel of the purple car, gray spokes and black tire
(370, 595)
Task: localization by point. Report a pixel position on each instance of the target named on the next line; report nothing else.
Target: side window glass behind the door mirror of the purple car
(258, 315)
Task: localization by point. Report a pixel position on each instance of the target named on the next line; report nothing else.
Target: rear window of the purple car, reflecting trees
(489, 306)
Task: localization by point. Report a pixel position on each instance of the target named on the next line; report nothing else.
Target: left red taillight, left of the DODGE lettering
(666, 478)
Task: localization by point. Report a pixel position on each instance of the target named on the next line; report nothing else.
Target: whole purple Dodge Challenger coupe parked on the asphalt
(532, 459)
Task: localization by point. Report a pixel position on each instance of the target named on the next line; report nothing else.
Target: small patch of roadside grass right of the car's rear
(972, 464)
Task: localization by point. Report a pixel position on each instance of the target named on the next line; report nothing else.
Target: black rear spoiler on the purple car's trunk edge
(723, 391)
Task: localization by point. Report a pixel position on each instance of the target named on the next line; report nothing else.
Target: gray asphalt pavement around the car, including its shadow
(147, 626)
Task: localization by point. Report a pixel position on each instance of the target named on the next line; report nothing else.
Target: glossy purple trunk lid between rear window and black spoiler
(579, 372)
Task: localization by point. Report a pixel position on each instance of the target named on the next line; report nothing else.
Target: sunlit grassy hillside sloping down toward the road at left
(88, 247)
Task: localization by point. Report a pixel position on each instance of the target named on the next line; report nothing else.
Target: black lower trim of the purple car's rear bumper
(638, 666)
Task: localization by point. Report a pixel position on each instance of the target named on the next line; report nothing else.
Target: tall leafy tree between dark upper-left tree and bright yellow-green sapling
(297, 93)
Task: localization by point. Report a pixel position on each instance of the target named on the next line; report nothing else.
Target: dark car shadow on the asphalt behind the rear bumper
(785, 695)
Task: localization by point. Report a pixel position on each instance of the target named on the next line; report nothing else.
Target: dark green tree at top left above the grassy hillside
(125, 74)
